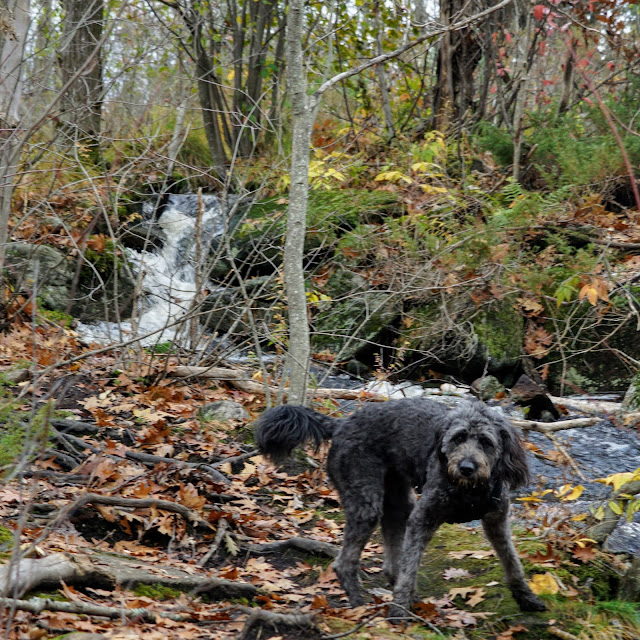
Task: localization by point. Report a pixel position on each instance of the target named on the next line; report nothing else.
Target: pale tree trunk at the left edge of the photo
(15, 15)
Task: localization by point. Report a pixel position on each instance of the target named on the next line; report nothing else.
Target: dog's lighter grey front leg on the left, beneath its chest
(423, 523)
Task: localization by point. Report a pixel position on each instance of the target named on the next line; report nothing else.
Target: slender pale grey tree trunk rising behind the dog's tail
(299, 346)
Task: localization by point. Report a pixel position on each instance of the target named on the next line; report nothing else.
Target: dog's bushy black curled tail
(281, 429)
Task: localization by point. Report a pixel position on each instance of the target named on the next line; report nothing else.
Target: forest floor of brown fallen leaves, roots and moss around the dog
(137, 519)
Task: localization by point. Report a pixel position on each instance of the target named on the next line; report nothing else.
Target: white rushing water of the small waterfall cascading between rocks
(168, 276)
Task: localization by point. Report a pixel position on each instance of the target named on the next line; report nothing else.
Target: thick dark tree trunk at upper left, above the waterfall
(82, 103)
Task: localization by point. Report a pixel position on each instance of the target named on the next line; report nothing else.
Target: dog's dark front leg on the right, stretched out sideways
(497, 529)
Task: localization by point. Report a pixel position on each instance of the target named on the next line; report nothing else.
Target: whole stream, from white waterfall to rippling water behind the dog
(168, 284)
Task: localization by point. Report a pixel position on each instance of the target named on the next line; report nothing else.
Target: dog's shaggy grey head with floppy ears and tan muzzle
(477, 445)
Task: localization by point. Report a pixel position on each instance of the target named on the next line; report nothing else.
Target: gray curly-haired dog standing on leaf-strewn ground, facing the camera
(464, 461)
